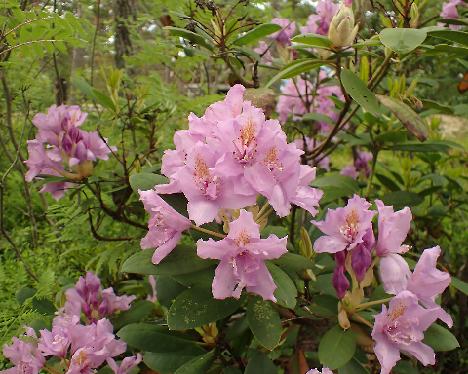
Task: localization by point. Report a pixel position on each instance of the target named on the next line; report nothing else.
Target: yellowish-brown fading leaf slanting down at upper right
(407, 116)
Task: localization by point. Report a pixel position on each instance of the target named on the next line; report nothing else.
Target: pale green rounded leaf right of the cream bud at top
(402, 40)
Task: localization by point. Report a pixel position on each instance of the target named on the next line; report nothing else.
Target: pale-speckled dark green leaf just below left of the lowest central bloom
(196, 307)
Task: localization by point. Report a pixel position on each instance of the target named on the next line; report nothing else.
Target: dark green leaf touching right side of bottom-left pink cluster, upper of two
(150, 337)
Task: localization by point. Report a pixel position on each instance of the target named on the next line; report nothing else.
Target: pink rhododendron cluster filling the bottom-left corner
(82, 347)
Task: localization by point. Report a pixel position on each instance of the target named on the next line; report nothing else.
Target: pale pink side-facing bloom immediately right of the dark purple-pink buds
(393, 229)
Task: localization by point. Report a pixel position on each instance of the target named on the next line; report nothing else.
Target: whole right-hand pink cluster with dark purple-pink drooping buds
(349, 235)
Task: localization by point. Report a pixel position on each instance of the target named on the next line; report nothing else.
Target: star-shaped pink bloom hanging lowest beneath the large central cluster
(242, 254)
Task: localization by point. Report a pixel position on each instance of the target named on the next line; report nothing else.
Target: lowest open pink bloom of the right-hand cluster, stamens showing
(401, 329)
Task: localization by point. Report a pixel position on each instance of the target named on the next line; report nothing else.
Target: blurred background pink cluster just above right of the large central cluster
(300, 96)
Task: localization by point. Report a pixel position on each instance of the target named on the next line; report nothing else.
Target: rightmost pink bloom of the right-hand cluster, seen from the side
(427, 282)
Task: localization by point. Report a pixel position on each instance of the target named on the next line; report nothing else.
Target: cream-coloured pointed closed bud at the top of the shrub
(342, 29)
